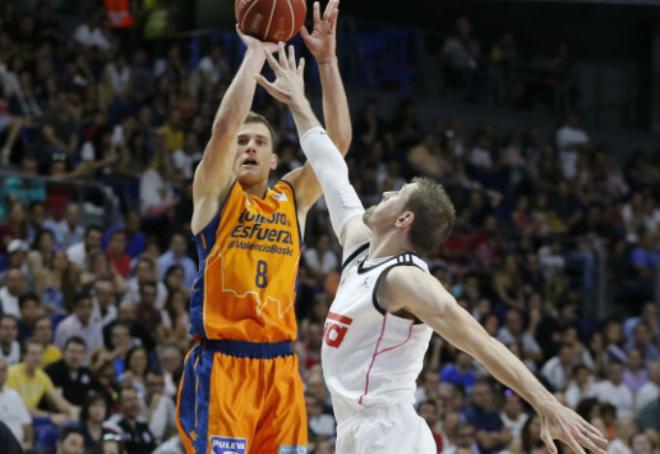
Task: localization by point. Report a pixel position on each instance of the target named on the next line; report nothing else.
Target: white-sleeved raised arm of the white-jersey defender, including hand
(324, 159)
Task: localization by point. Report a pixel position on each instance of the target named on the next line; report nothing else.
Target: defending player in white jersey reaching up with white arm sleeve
(374, 345)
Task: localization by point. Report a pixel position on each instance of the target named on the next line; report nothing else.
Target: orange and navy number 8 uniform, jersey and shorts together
(241, 391)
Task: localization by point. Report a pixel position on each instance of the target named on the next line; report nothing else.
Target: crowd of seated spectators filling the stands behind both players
(100, 132)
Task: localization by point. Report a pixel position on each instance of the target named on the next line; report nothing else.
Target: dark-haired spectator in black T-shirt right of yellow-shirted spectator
(69, 376)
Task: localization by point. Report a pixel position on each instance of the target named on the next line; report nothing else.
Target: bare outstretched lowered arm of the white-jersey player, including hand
(413, 290)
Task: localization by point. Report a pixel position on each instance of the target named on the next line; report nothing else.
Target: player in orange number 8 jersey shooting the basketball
(241, 391)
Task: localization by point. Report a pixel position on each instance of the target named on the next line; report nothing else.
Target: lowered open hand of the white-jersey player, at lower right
(563, 424)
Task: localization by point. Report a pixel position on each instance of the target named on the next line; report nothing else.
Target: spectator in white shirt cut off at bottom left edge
(14, 413)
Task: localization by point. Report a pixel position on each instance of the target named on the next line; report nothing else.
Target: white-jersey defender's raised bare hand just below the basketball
(289, 85)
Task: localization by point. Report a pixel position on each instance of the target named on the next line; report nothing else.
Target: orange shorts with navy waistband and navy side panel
(242, 398)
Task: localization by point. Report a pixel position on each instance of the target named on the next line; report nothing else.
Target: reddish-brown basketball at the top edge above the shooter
(270, 20)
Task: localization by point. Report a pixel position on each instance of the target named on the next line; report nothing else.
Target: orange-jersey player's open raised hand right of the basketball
(322, 42)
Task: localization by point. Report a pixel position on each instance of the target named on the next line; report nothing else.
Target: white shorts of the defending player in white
(395, 429)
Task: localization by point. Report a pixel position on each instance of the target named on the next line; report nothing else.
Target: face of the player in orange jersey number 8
(254, 157)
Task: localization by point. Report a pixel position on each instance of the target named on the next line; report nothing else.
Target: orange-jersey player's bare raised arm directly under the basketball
(215, 172)
